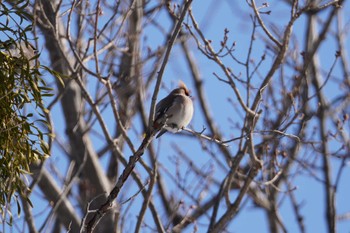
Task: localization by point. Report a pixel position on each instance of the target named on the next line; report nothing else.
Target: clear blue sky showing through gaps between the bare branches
(213, 18)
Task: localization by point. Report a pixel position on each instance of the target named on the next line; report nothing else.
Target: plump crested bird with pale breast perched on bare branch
(176, 108)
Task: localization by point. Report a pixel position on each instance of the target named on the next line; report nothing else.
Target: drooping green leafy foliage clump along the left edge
(22, 113)
